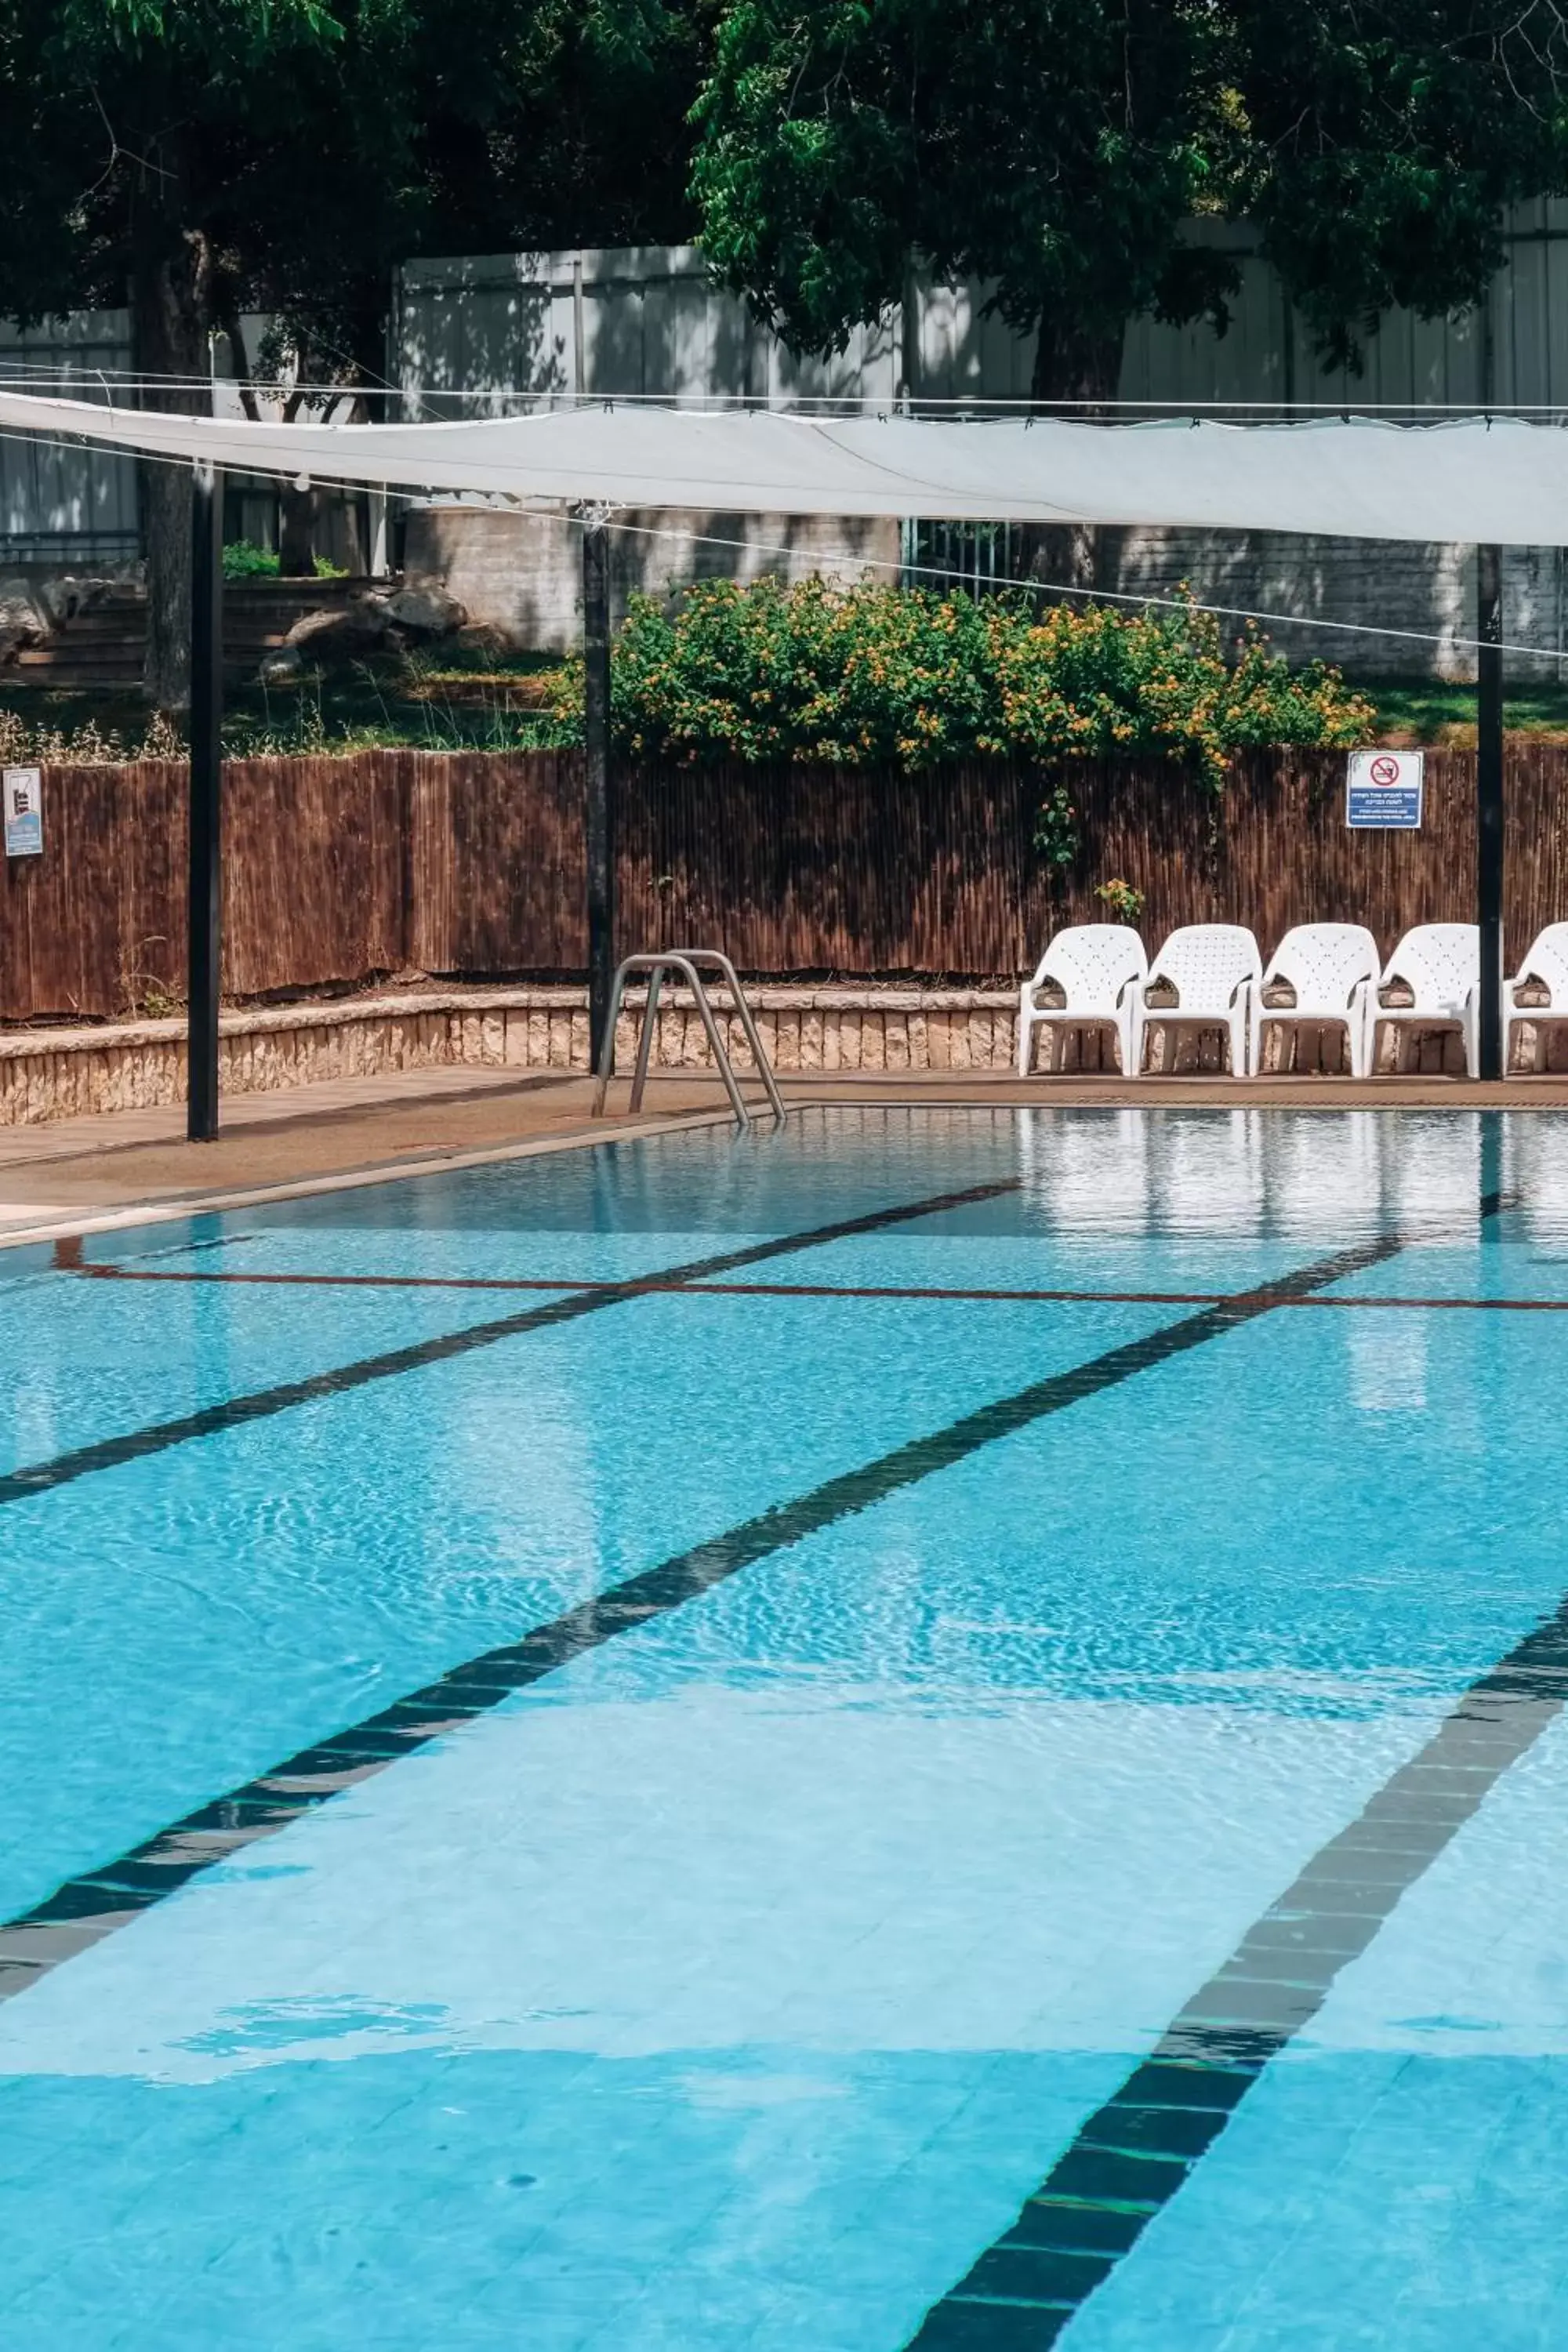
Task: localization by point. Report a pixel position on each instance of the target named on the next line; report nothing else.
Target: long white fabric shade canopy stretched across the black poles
(1463, 481)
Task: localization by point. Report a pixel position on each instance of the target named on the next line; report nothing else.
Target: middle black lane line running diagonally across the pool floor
(93, 1906)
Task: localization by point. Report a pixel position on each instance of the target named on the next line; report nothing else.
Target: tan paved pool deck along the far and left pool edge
(133, 1165)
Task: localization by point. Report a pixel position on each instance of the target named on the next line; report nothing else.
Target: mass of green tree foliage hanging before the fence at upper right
(1059, 152)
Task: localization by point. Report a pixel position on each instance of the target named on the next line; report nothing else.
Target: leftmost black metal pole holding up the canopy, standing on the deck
(206, 803)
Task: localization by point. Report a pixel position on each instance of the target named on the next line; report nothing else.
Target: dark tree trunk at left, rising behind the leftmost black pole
(170, 293)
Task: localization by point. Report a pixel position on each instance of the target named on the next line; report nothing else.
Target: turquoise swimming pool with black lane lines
(937, 1730)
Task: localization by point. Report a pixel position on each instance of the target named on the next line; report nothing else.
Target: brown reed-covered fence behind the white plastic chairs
(474, 864)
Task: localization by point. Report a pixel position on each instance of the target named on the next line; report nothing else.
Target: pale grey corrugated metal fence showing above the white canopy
(476, 335)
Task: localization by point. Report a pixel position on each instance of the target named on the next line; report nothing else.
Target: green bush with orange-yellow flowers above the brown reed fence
(913, 676)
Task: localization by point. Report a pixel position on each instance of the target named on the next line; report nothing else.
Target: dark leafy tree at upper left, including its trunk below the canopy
(213, 156)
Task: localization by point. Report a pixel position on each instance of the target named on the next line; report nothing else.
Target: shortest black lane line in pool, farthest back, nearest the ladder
(234, 1412)
